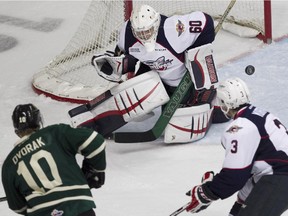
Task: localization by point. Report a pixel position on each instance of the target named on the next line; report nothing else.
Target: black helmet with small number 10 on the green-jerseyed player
(26, 118)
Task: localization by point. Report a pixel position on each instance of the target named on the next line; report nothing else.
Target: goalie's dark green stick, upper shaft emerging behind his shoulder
(170, 108)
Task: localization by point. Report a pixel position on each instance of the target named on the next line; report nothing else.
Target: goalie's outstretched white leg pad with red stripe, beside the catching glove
(131, 99)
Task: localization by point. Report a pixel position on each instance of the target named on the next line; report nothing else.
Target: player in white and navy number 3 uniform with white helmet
(256, 159)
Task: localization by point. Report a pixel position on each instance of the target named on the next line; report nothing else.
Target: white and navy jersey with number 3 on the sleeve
(256, 144)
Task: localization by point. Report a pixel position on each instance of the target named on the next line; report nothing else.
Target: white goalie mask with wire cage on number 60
(145, 23)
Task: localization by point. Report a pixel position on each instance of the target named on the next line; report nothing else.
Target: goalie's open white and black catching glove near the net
(112, 67)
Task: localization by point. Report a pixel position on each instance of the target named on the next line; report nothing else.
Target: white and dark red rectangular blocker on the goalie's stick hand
(200, 63)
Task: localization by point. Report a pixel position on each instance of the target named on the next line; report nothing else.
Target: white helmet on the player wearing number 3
(232, 93)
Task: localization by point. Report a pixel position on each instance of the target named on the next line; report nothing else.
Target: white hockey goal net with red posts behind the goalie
(70, 75)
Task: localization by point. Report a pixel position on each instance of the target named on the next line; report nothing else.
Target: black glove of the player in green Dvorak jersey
(94, 177)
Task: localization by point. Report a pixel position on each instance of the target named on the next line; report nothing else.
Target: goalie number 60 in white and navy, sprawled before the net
(158, 50)
